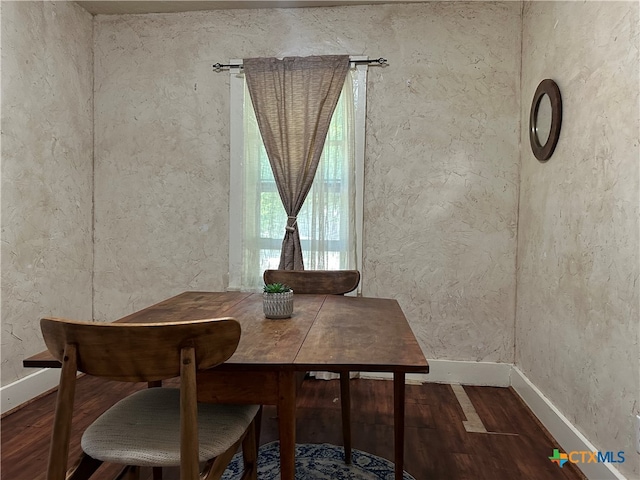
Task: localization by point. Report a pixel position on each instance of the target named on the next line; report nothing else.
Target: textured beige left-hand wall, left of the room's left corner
(46, 172)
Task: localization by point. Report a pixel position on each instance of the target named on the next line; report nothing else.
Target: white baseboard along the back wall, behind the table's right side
(484, 374)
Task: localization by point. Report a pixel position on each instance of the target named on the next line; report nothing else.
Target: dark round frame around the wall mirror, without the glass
(550, 88)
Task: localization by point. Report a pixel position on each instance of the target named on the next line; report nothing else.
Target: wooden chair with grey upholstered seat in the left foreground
(155, 427)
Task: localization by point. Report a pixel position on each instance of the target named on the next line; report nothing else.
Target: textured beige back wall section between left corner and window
(161, 162)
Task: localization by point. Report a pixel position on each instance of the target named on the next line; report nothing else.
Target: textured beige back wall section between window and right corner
(441, 174)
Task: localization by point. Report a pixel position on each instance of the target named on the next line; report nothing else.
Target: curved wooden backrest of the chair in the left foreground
(141, 352)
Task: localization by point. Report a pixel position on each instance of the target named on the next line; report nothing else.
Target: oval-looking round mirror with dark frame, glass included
(545, 119)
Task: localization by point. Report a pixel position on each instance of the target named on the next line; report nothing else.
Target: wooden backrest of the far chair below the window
(331, 282)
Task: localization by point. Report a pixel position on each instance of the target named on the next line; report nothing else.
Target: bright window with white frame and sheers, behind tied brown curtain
(330, 222)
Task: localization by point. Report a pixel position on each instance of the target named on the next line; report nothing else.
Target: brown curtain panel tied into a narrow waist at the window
(294, 99)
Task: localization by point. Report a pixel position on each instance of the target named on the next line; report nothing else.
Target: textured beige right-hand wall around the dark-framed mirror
(578, 250)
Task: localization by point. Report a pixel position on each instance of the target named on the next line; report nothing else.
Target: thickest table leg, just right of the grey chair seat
(287, 424)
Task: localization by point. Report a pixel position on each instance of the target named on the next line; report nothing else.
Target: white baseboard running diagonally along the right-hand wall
(567, 436)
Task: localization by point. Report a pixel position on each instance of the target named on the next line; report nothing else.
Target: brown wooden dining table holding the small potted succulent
(325, 333)
